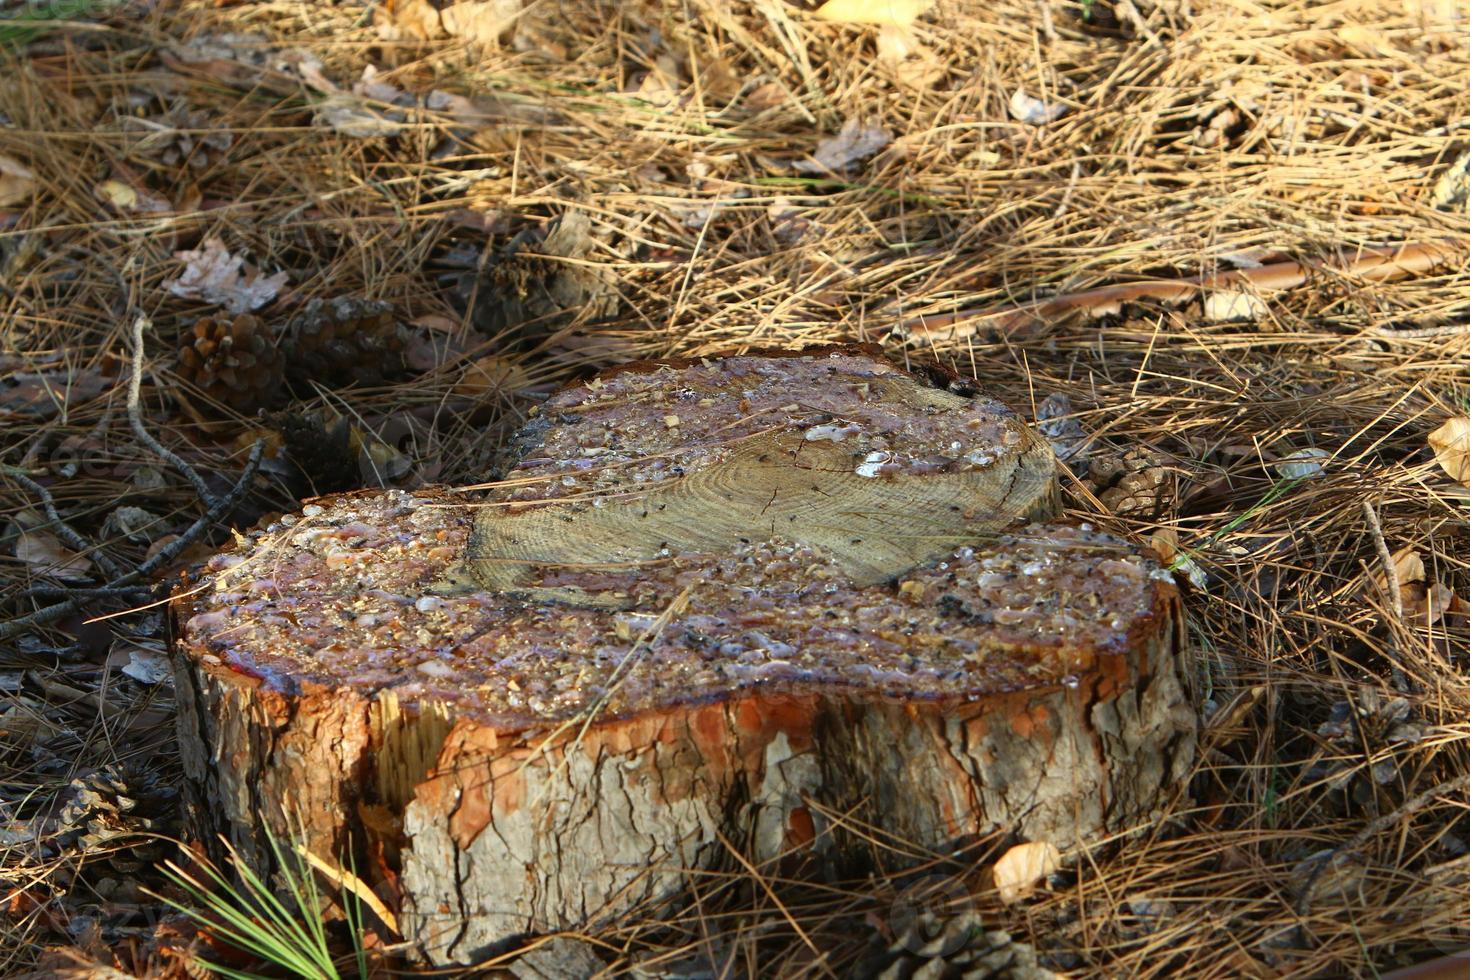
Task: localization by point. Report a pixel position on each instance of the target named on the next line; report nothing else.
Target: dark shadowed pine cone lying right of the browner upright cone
(343, 342)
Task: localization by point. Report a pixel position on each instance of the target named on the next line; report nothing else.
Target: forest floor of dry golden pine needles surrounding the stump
(549, 190)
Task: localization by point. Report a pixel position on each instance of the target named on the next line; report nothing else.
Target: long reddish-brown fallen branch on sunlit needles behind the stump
(1378, 265)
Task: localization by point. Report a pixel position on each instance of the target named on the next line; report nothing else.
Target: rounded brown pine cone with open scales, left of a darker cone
(234, 362)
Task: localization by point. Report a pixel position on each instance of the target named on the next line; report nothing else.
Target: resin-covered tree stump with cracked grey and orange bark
(708, 605)
